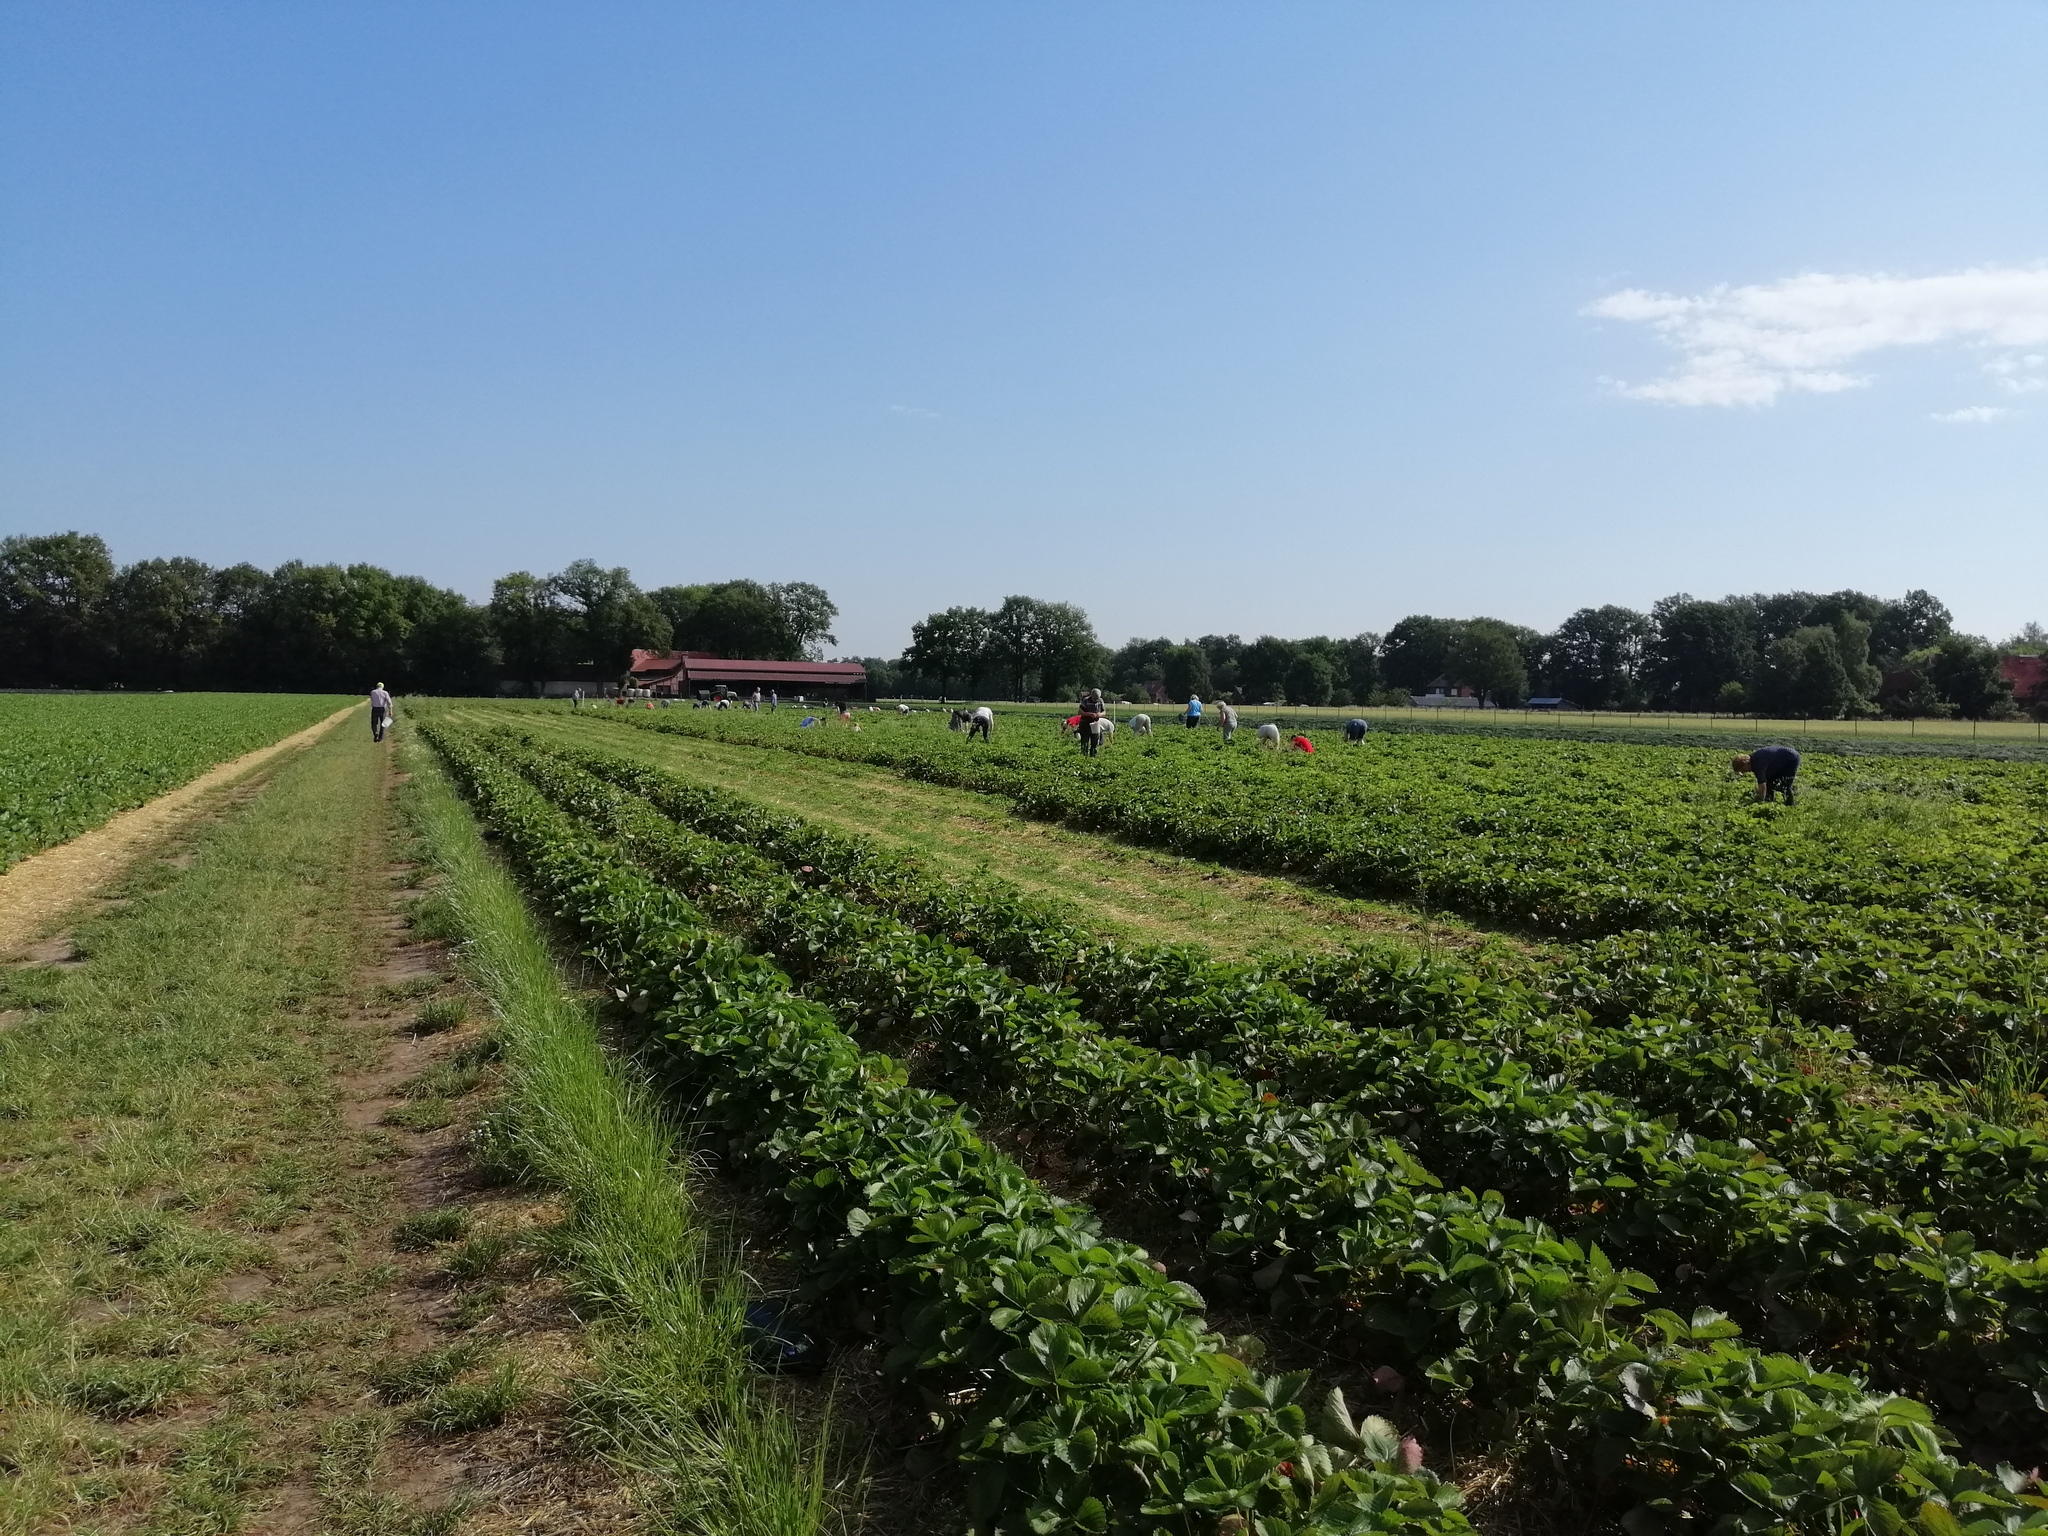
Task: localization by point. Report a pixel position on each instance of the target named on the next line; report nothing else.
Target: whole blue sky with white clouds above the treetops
(1205, 316)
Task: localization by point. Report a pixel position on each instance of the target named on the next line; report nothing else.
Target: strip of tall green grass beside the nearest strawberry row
(675, 1398)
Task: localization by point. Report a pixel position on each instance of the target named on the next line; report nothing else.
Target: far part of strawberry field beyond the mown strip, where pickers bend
(1902, 900)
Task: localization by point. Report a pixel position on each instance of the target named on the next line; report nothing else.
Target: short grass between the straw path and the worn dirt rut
(165, 1109)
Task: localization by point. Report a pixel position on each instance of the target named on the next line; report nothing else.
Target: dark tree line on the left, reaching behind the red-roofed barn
(75, 620)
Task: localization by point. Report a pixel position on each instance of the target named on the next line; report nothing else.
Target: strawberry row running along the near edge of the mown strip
(1973, 1177)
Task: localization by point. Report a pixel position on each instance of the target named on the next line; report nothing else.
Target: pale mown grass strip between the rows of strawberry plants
(1121, 890)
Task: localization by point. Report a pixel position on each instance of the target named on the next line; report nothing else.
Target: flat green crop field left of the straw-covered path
(73, 761)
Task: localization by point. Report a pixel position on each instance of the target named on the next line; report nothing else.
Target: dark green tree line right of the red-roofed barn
(1824, 656)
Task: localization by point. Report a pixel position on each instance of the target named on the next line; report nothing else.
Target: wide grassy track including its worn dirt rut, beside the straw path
(249, 1277)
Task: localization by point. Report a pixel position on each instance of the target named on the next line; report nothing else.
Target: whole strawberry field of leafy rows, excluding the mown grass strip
(1695, 1220)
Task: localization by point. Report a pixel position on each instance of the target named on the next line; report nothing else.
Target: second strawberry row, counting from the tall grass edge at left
(1506, 1312)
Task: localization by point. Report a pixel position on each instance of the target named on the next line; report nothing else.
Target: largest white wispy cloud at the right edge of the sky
(1746, 347)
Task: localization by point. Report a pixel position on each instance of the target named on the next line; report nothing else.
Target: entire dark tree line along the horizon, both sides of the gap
(75, 620)
